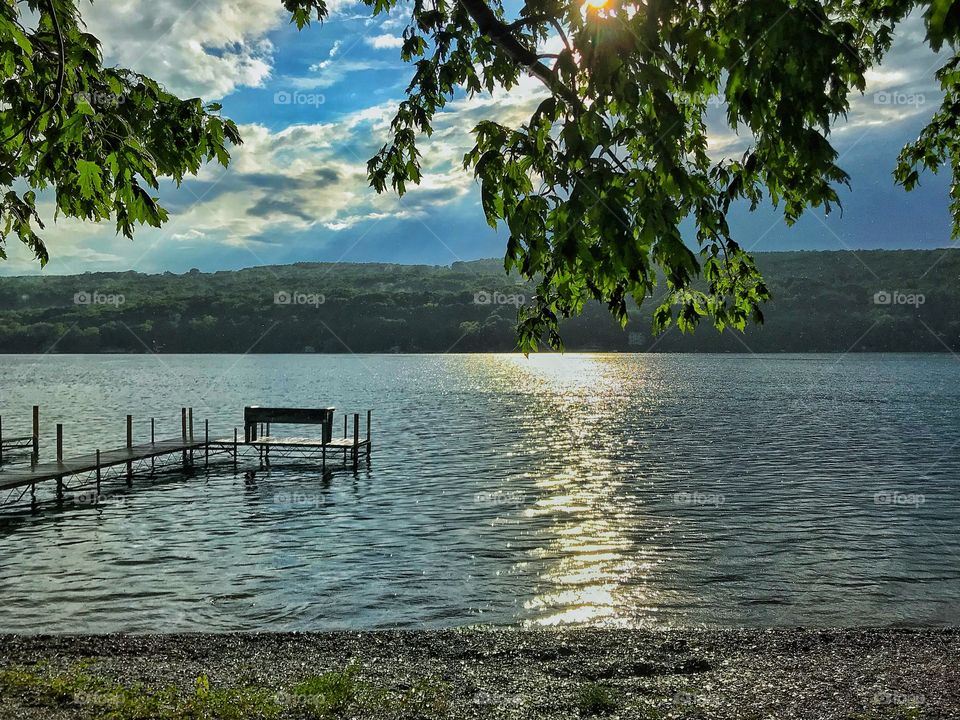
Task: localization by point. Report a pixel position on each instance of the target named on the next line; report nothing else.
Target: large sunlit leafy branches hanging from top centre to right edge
(595, 186)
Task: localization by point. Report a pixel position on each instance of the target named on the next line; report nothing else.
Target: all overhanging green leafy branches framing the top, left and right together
(594, 187)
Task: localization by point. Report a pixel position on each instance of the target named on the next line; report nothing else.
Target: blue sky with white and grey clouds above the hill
(313, 106)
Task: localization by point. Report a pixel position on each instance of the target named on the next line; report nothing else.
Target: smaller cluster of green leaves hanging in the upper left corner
(99, 138)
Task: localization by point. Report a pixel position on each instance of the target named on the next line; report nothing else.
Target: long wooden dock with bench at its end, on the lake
(94, 468)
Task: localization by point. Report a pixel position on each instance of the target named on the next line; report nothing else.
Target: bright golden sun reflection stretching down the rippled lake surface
(589, 562)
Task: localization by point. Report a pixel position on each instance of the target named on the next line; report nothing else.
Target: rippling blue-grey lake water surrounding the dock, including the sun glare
(615, 490)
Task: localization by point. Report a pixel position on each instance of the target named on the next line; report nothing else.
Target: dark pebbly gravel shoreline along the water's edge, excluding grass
(690, 673)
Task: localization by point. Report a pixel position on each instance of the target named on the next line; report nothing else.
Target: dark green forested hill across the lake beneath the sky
(823, 302)
